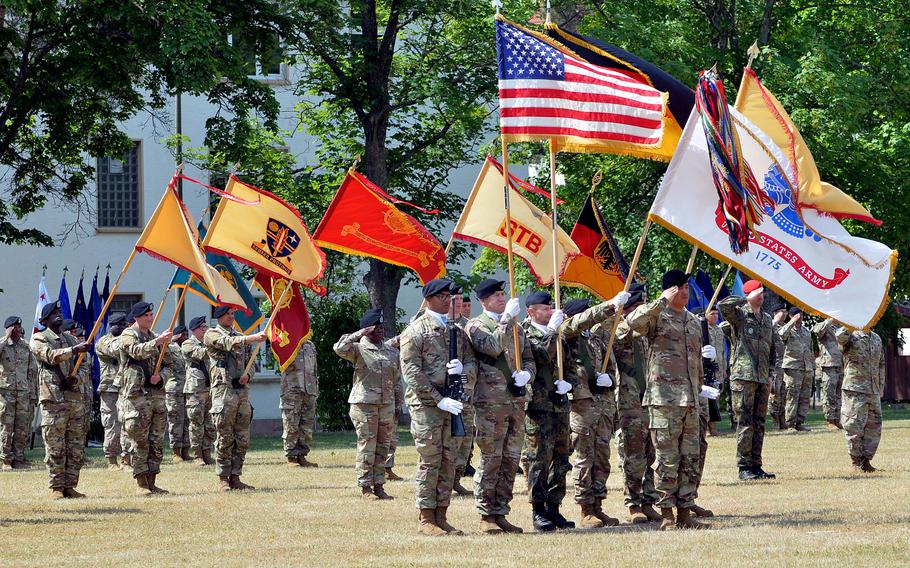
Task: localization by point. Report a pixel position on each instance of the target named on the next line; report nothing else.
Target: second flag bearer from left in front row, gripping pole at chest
(142, 397)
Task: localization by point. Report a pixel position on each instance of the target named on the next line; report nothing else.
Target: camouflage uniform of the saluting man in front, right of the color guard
(671, 395)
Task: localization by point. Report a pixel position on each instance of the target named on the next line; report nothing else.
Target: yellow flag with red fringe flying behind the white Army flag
(762, 108)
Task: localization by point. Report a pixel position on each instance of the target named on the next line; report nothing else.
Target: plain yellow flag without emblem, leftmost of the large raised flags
(170, 236)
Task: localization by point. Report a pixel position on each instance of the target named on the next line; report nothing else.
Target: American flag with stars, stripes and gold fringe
(545, 93)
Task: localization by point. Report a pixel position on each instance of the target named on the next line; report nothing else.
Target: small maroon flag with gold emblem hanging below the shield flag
(291, 325)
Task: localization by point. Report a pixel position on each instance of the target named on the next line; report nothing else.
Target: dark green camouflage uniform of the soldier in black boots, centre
(545, 457)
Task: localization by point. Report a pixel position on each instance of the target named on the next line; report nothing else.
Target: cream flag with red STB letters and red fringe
(483, 222)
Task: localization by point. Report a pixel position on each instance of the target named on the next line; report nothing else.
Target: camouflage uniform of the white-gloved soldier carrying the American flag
(499, 413)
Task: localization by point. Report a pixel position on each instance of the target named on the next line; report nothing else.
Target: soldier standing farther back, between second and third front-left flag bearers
(197, 391)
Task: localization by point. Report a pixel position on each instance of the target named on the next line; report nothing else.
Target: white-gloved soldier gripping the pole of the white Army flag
(592, 419)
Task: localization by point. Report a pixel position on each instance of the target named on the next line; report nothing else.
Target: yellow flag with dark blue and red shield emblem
(265, 232)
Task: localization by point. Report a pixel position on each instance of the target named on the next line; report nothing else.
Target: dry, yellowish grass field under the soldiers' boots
(817, 513)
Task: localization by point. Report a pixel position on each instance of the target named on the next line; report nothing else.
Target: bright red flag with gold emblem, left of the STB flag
(362, 220)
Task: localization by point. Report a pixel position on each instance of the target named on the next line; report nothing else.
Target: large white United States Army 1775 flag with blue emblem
(807, 257)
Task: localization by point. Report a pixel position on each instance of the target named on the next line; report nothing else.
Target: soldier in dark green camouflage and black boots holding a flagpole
(547, 433)
